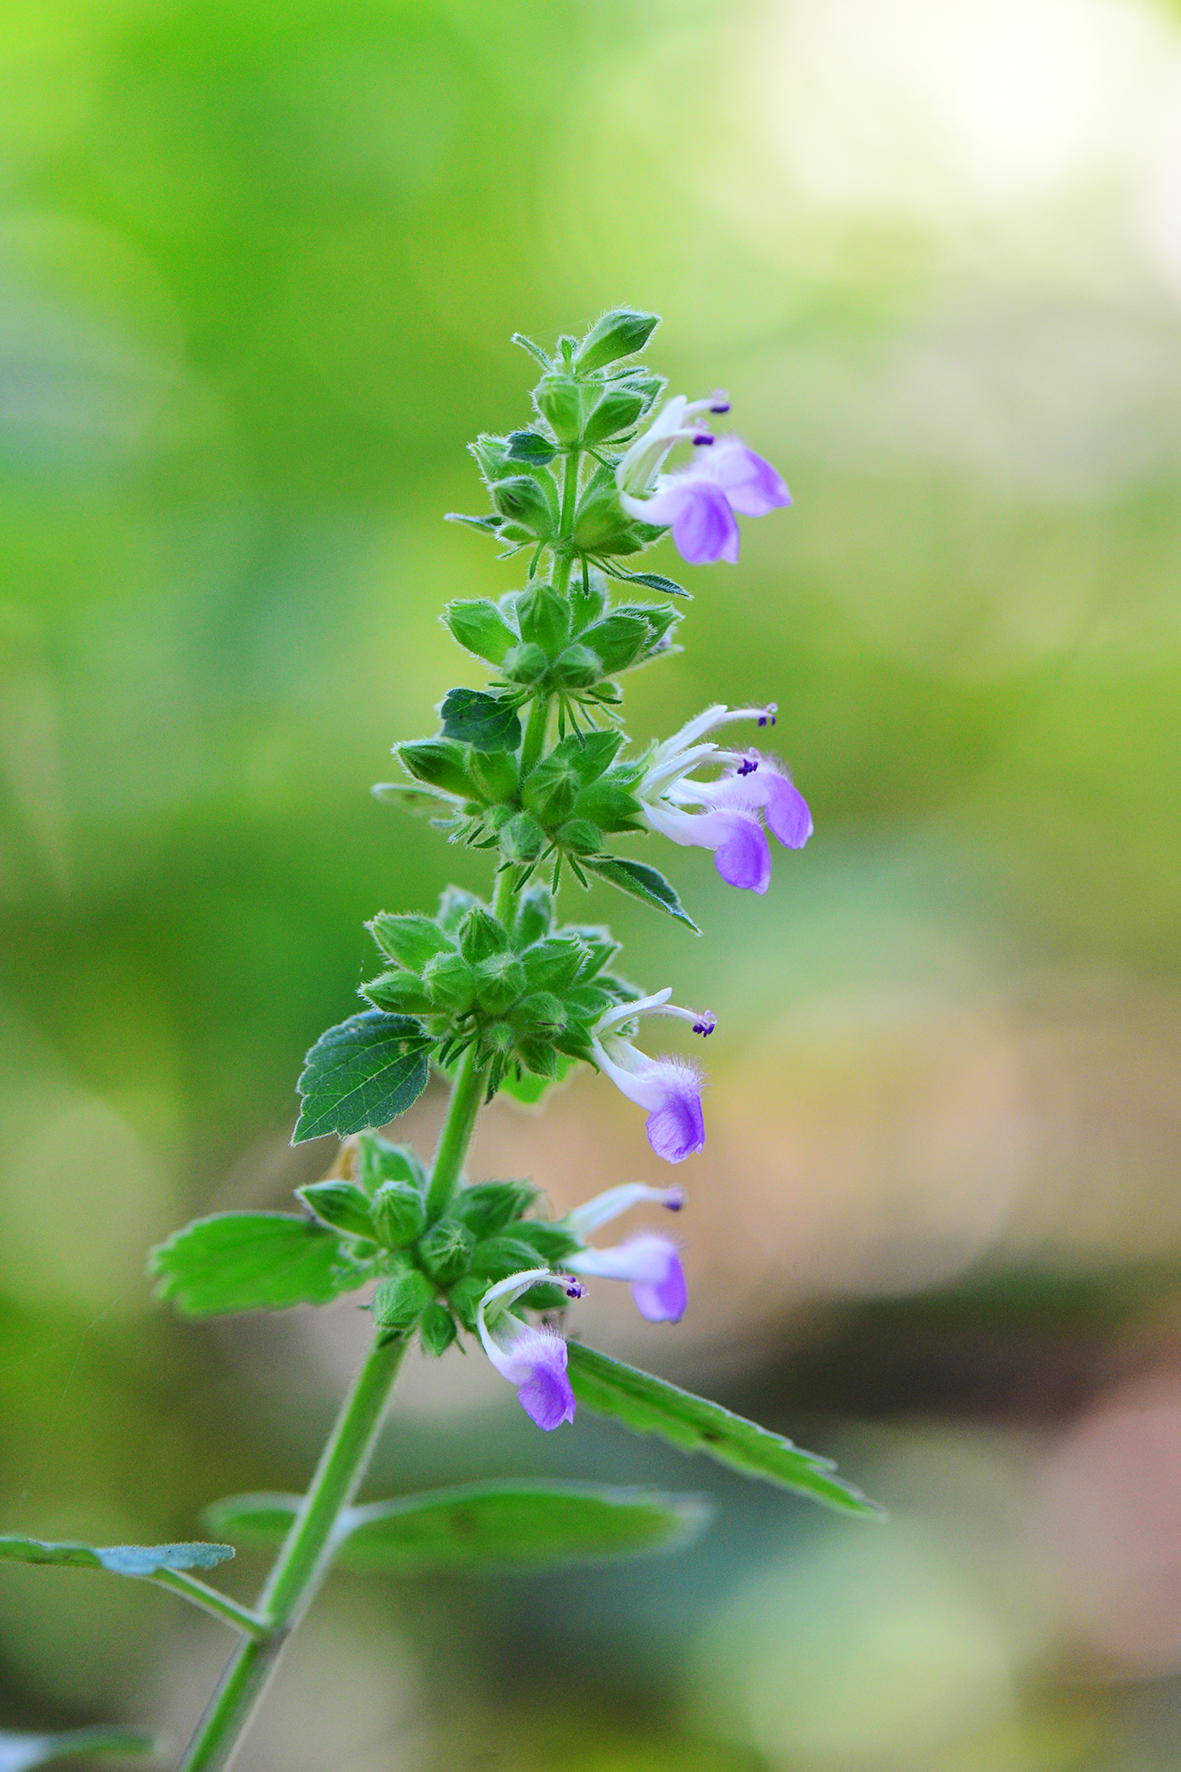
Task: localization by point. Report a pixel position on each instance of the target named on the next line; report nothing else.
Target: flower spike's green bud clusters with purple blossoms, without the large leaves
(586, 485)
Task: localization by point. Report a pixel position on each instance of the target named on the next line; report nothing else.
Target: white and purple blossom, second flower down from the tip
(726, 814)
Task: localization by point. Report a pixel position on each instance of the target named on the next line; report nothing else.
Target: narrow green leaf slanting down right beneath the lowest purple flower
(653, 1406)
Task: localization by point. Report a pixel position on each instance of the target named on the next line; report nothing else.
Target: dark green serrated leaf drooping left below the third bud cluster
(363, 1075)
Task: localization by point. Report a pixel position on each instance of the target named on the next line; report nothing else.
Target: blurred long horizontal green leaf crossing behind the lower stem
(485, 1527)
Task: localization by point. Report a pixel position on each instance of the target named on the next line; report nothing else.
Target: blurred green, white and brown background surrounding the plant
(258, 274)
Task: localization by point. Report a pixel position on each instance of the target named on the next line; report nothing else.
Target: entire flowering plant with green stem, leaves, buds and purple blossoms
(501, 995)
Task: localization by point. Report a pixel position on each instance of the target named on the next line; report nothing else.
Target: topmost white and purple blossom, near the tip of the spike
(700, 501)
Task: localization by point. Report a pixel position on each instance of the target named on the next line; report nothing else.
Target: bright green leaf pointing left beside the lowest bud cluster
(249, 1263)
